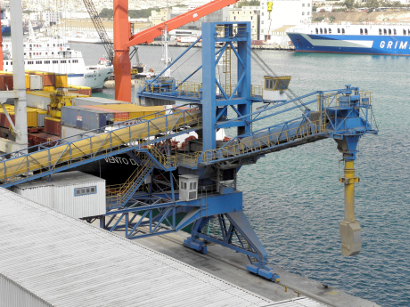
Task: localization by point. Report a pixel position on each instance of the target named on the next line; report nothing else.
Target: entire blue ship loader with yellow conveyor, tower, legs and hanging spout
(153, 202)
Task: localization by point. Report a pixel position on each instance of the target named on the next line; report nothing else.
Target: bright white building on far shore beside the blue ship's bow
(284, 12)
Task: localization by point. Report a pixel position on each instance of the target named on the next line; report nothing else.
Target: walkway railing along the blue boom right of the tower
(269, 140)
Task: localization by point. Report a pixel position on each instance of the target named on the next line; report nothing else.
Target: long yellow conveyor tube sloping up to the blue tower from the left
(96, 145)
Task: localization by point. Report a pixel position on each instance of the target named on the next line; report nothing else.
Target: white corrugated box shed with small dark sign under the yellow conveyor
(74, 193)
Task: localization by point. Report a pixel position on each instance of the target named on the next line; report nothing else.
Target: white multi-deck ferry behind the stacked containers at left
(55, 55)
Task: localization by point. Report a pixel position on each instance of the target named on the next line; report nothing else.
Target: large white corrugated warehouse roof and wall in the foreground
(48, 258)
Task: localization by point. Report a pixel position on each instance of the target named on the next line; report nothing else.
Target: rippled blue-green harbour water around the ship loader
(294, 199)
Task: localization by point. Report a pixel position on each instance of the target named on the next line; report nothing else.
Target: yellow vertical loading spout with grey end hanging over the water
(350, 231)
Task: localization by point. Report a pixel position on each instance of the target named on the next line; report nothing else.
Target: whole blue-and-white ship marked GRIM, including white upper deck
(357, 39)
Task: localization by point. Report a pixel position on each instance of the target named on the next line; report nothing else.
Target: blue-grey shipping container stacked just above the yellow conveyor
(85, 119)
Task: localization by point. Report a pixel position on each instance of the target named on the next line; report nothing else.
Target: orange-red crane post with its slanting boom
(123, 40)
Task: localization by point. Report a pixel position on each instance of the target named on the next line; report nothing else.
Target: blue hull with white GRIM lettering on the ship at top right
(353, 44)
